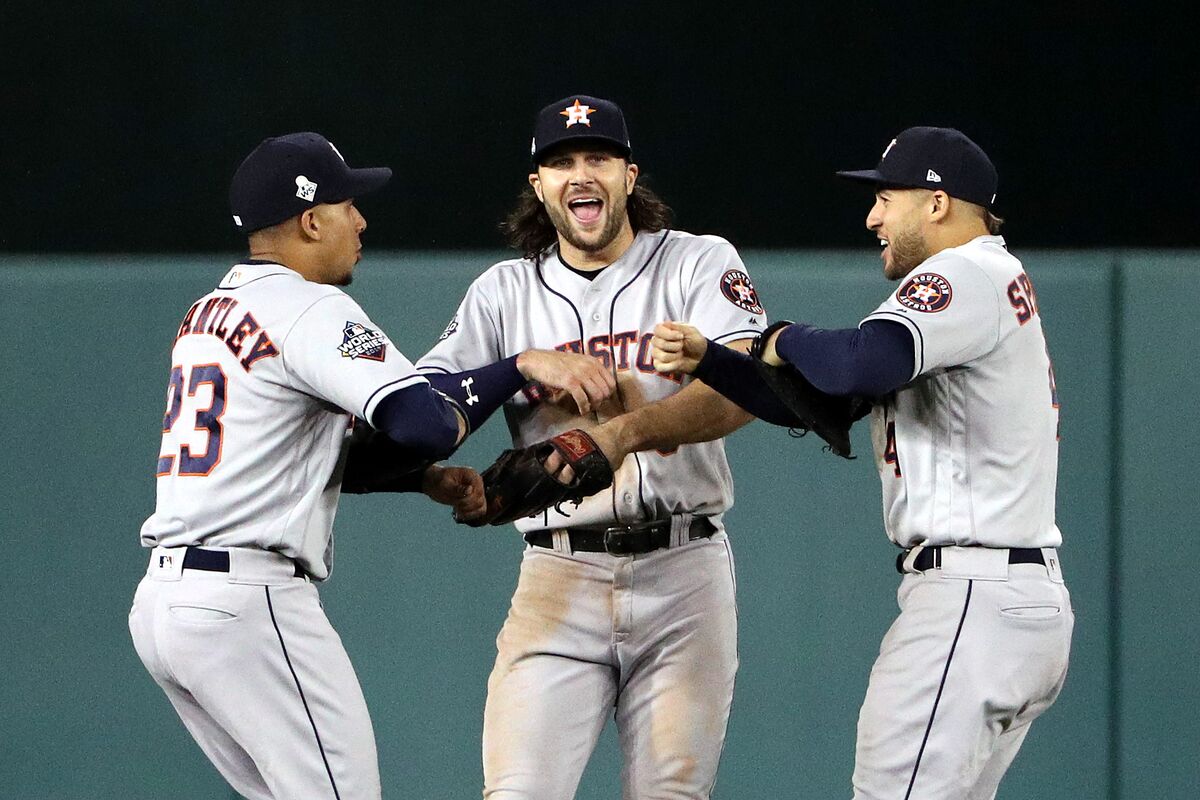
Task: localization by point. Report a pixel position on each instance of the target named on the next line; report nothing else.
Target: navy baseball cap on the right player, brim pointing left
(935, 159)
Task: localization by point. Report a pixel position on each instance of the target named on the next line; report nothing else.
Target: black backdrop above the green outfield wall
(123, 123)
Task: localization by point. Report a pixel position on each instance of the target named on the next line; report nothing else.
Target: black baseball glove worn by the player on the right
(830, 417)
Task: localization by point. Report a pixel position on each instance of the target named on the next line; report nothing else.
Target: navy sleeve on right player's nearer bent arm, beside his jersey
(871, 362)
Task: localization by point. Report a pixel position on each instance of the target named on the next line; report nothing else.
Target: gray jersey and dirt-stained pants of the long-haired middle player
(652, 635)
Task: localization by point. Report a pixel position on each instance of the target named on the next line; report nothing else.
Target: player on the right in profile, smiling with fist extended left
(965, 434)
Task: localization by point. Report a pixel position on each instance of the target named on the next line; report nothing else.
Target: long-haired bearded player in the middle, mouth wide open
(626, 604)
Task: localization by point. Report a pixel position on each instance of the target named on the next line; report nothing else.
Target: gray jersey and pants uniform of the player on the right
(968, 456)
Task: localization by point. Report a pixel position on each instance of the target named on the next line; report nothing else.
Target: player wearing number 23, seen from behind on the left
(269, 371)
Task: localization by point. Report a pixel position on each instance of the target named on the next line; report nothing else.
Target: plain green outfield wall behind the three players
(418, 600)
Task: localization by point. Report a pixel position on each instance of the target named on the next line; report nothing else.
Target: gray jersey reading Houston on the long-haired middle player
(520, 305)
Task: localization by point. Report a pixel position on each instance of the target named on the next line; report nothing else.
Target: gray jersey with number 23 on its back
(269, 370)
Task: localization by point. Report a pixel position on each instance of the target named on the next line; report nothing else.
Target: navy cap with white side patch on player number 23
(286, 176)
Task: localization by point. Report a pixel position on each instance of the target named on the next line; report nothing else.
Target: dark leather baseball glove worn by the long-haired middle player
(519, 485)
